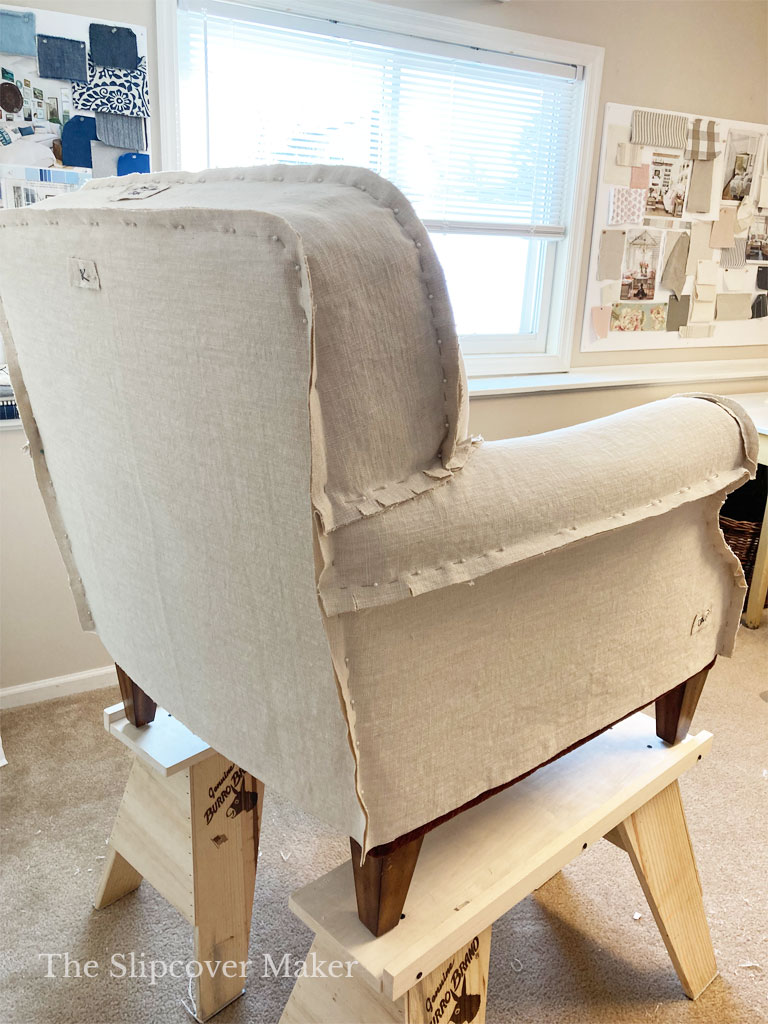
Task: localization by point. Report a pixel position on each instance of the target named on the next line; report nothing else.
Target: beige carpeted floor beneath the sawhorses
(572, 954)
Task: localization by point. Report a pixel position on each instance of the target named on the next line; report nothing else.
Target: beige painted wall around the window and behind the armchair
(701, 57)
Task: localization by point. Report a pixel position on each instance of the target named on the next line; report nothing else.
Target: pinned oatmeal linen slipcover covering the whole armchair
(241, 363)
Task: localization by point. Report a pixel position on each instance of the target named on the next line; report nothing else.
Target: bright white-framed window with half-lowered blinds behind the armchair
(485, 144)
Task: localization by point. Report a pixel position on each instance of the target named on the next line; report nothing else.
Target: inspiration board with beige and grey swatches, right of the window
(679, 252)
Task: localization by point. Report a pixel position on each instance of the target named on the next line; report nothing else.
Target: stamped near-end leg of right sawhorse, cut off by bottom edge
(457, 991)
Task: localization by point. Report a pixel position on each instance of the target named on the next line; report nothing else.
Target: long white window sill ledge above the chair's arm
(631, 375)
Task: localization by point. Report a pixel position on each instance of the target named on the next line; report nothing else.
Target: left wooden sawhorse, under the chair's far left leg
(189, 824)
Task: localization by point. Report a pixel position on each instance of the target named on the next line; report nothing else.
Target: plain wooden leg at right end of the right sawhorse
(657, 839)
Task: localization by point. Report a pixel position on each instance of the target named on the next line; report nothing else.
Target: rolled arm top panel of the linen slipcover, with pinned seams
(522, 498)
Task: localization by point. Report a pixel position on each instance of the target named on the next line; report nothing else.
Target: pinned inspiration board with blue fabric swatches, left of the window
(74, 102)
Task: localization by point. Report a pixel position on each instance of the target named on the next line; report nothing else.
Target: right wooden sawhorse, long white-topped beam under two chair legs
(434, 967)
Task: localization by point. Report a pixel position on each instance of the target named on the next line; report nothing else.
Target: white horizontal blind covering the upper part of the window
(465, 140)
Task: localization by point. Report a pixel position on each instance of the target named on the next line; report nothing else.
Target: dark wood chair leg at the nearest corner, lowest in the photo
(381, 884)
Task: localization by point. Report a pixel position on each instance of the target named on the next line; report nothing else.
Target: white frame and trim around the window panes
(559, 329)
